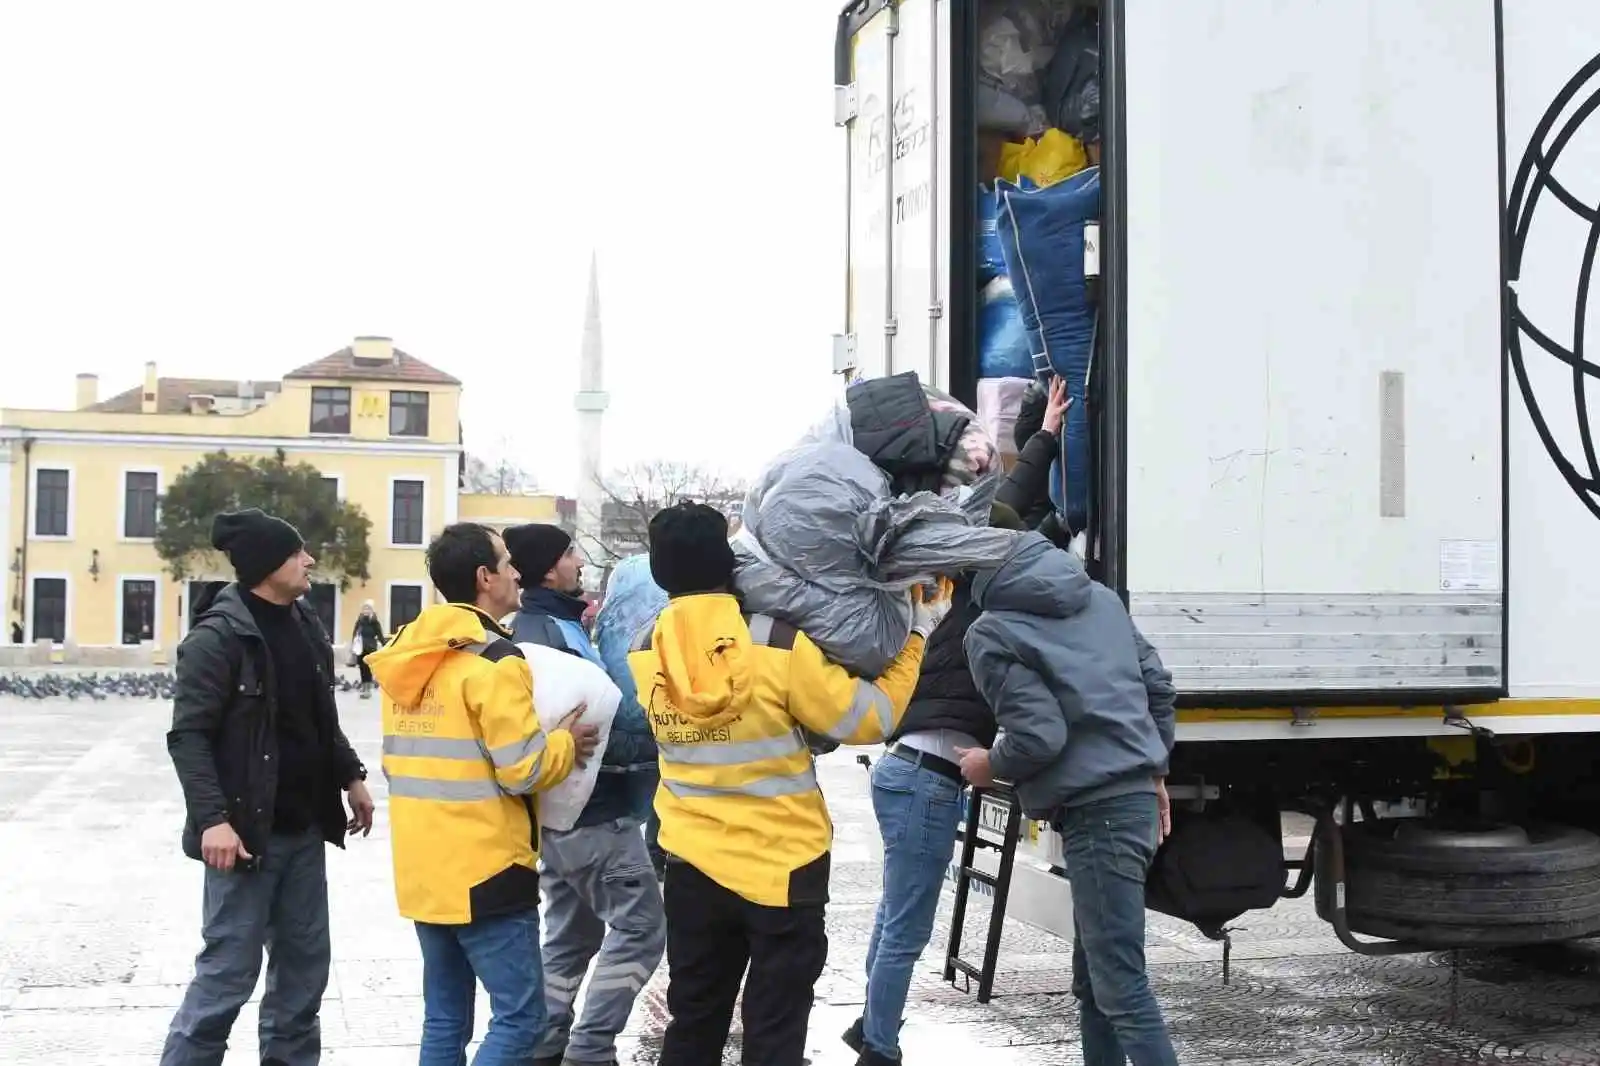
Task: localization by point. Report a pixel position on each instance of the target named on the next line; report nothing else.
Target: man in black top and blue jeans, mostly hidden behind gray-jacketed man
(918, 798)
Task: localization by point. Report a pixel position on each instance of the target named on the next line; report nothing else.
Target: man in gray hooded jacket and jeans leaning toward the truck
(1087, 718)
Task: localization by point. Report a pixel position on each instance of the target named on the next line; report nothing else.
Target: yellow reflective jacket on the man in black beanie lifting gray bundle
(727, 700)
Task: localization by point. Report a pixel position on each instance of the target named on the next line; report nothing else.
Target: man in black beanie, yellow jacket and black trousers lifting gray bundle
(743, 822)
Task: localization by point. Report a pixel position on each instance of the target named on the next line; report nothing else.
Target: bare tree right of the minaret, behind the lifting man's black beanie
(633, 495)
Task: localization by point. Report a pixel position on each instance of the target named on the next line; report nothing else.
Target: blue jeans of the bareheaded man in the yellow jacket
(503, 953)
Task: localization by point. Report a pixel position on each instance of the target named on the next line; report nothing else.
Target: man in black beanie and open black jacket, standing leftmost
(262, 761)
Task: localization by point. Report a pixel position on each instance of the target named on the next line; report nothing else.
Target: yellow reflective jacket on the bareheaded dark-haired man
(463, 756)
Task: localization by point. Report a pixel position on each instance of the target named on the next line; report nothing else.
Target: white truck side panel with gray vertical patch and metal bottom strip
(1314, 343)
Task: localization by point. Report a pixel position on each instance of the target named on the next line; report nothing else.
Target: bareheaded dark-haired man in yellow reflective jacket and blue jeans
(465, 758)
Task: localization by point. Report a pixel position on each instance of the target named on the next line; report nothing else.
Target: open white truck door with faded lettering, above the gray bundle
(894, 100)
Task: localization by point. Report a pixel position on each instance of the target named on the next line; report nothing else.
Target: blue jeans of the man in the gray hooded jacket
(1110, 846)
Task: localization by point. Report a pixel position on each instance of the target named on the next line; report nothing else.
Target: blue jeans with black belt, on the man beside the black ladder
(919, 812)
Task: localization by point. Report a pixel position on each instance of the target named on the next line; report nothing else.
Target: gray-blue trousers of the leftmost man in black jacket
(282, 910)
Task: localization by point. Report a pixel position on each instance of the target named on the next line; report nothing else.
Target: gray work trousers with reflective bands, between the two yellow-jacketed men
(601, 897)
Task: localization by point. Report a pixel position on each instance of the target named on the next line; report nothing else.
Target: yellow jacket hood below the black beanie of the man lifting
(703, 646)
